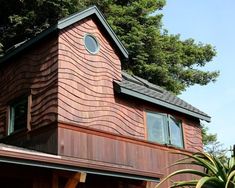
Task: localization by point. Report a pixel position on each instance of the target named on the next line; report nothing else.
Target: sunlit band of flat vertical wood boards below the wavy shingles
(123, 153)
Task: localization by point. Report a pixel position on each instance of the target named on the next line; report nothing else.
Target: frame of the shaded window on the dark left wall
(10, 125)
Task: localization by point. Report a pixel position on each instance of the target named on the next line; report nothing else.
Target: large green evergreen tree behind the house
(163, 59)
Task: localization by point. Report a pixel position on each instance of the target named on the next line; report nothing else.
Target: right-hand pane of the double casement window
(175, 132)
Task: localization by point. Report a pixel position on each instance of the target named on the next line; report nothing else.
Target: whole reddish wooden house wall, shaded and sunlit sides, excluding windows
(75, 88)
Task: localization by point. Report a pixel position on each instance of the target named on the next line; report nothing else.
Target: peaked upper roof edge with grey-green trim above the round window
(63, 23)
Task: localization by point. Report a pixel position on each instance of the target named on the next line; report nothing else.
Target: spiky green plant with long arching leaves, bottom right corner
(215, 174)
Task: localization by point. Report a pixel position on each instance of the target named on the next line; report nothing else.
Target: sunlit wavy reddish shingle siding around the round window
(86, 95)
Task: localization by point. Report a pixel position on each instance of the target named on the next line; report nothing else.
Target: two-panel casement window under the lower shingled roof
(164, 129)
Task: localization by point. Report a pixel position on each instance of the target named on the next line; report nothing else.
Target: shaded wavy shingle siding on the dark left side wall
(35, 72)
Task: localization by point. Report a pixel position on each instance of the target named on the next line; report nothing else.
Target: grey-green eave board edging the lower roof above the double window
(127, 91)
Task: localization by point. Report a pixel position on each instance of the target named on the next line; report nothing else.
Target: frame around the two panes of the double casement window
(167, 129)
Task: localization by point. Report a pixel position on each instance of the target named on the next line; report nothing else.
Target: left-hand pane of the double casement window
(156, 127)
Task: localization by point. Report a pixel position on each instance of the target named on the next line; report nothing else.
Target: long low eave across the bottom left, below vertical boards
(21, 157)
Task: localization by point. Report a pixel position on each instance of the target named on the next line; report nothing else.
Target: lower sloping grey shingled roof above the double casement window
(142, 89)
